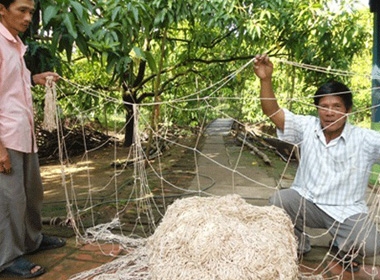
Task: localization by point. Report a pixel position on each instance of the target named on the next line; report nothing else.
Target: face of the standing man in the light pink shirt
(18, 16)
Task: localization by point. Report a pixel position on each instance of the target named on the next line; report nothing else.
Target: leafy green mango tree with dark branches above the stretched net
(158, 49)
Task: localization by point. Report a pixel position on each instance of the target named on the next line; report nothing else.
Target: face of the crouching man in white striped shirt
(332, 114)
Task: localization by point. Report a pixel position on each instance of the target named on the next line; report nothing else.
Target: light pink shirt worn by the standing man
(16, 104)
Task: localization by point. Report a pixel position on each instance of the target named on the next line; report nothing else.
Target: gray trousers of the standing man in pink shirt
(21, 195)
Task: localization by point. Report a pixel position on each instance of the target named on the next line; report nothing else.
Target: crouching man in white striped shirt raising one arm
(331, 181)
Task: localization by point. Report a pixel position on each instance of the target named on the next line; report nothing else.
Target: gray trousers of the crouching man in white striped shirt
(357, 234)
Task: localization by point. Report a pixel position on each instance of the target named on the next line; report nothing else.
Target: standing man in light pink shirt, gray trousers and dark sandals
(21, 190)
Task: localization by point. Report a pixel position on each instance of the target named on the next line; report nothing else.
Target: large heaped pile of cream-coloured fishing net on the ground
(211, 238)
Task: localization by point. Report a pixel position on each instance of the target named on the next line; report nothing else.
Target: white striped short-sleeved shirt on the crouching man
(335, 175)
